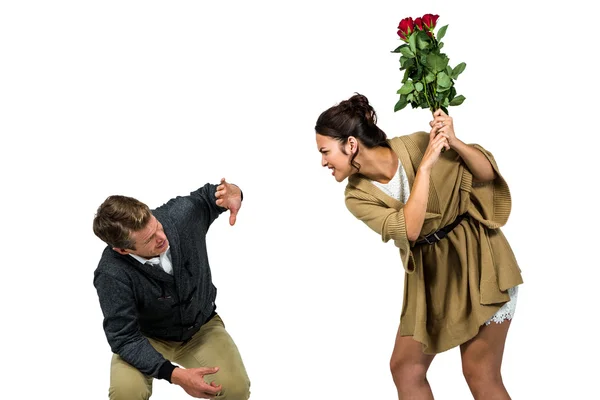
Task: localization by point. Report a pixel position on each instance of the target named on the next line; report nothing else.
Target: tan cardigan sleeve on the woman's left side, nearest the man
(386, 221)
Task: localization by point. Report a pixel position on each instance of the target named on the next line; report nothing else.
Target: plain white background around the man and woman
(153, 99)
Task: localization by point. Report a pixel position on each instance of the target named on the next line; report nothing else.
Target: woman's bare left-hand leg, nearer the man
(409, 367)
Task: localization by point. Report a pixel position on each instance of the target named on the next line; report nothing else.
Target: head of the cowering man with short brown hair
(128, 226)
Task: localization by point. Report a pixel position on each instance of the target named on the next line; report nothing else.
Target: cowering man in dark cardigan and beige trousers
(156, 293)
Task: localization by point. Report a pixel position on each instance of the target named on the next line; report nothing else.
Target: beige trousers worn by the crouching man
(211, 346)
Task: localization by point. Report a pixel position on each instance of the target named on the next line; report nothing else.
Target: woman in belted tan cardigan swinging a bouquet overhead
(443, 209)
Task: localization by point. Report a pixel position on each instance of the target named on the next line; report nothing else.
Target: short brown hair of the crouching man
(117, 217)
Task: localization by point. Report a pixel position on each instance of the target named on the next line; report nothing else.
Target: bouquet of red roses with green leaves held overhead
(428, 78)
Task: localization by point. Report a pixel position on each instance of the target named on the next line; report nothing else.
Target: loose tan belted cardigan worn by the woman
(453, 287)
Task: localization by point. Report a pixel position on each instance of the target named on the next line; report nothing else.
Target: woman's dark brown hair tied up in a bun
(352, 117)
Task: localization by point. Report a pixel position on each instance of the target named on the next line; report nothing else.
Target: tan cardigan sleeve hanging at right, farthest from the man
(490, 202)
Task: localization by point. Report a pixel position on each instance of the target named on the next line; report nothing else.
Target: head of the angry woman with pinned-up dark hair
(342, 130)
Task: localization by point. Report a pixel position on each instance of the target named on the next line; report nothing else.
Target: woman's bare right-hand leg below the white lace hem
(482, 361)
